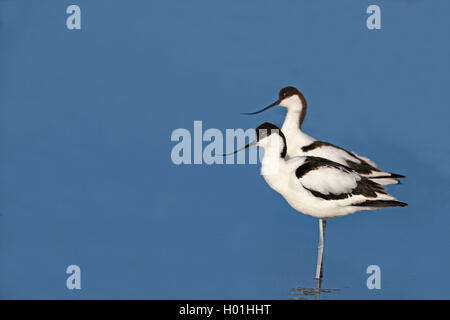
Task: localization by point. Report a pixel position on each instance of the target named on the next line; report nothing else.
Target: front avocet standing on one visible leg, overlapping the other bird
(316, 186)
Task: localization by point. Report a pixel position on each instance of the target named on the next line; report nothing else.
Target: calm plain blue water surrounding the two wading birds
(86, 172)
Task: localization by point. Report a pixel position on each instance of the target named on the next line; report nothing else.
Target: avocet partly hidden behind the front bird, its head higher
(301, 144)
